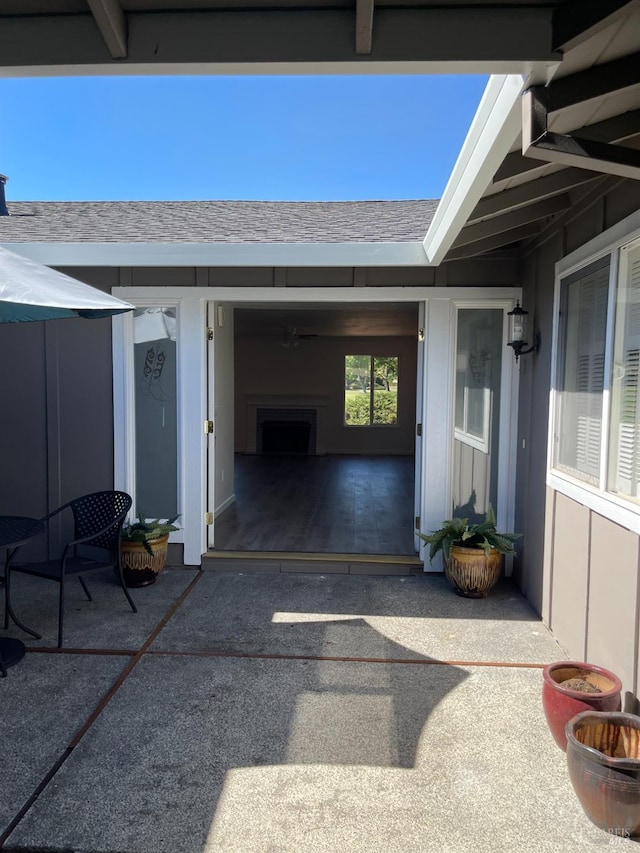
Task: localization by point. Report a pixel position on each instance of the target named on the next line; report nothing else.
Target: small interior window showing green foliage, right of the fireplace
(370, 390)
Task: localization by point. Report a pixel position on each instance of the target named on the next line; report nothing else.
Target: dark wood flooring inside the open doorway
(320, 504)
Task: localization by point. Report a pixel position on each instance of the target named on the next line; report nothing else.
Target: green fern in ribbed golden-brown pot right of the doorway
(473, 553)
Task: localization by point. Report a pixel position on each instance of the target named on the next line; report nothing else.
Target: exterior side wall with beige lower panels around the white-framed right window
(563, 559)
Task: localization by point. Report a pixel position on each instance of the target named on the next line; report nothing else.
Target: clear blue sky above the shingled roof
(262, 138)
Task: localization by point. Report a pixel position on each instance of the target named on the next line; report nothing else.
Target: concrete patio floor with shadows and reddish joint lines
(283, 712)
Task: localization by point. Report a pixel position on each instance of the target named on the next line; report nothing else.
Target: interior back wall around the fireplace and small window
(315, 368)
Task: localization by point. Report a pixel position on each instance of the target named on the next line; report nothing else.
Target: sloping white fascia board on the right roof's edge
(494, 129)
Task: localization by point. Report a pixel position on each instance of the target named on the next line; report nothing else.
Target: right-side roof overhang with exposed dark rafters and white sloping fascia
(536, 148)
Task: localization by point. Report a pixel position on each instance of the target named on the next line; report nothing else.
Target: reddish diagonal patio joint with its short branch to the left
(102, 704)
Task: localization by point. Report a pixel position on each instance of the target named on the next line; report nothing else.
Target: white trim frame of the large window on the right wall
(596, 498)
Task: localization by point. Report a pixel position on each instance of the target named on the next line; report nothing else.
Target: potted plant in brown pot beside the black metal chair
(143, 549)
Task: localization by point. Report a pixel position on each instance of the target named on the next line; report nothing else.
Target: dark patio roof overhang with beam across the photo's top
(284, 36)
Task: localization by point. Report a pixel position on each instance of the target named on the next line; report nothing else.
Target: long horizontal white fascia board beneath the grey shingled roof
(224, 254)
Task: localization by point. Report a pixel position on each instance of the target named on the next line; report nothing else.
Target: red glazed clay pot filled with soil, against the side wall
(561, 703)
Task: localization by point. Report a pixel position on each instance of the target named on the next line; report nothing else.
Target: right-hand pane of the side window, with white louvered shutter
(624, 461)
